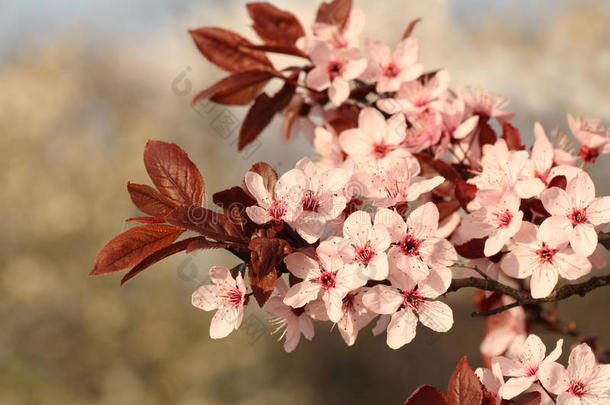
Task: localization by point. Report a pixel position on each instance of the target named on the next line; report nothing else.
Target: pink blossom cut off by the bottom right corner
(584, 382)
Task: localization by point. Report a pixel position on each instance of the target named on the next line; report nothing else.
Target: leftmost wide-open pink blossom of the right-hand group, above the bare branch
(498, 220)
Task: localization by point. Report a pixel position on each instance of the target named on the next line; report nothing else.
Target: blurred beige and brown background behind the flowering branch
(84, 85)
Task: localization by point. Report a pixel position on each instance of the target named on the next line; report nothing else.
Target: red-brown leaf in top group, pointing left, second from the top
(229, 50)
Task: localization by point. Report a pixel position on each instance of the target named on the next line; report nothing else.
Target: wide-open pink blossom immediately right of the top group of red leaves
(333, 69)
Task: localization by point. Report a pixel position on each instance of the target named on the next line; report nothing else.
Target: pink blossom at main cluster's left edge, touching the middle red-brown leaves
(280, 204)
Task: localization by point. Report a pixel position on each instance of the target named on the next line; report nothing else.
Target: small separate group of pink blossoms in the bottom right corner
(530, 369)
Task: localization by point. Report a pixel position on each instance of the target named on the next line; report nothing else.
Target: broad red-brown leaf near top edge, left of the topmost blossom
(273, 25)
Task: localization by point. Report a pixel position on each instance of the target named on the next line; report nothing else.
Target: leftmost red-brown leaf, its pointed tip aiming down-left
(130, 247)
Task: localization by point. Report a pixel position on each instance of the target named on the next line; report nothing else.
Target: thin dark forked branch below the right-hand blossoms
(524, 298)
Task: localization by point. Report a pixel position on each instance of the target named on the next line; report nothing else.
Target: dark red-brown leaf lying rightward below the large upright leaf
(210, 224)
